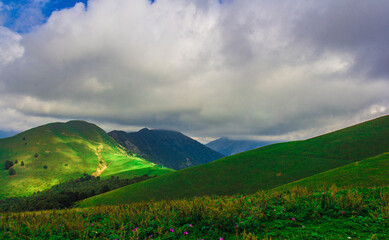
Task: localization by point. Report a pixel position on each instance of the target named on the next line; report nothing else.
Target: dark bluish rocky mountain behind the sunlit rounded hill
(168, 148)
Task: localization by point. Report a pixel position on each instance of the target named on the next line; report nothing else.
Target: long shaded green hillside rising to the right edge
(262, 168)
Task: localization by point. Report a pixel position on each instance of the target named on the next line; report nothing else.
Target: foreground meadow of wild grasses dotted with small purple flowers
(361, 213)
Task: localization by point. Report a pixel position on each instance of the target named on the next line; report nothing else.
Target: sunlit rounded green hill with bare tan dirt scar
(57, 152)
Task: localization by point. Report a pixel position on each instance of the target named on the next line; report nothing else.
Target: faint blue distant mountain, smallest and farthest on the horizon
(230, 147)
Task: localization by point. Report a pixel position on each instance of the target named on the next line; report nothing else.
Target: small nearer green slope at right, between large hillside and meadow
(370, 172)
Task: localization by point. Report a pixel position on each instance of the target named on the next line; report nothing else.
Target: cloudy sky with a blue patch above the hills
(269, 70)
